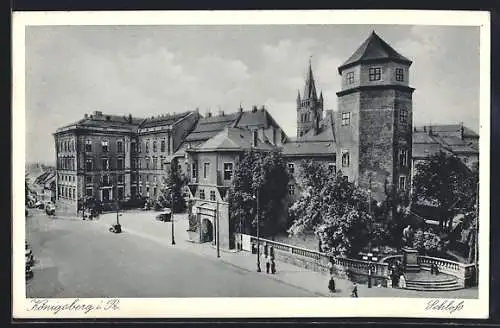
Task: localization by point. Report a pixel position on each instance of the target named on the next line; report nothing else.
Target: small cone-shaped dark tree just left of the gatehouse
(171, 194)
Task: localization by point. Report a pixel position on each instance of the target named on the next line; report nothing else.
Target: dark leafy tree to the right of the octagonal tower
(443, 181)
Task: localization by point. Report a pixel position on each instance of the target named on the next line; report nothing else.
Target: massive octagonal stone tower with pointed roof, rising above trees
(374, 118)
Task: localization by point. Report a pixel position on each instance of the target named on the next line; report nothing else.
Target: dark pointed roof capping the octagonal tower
(374, 48)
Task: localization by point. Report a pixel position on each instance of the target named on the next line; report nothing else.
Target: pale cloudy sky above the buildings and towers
(152, 70)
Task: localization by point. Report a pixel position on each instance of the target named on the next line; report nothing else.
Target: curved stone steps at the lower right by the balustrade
(424, 281)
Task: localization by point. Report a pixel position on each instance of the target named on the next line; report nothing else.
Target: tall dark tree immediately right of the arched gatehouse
(264, 174)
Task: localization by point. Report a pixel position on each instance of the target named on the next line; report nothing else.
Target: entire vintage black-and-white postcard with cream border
(251, 164)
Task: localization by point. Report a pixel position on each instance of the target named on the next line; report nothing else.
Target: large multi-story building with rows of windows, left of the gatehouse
(110, 157)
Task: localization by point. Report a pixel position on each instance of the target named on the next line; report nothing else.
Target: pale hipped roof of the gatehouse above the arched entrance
(233, 139)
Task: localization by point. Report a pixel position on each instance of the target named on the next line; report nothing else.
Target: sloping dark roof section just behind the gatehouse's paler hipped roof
(209, 126)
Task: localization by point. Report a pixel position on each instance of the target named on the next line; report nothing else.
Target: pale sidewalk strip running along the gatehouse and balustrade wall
(143, 224)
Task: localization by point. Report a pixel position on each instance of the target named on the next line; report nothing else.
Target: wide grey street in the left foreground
(76, 258)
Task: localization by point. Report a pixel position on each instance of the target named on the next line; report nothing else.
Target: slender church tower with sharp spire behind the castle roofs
(309, 107)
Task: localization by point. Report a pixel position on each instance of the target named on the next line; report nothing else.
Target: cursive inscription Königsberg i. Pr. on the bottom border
(76, 305)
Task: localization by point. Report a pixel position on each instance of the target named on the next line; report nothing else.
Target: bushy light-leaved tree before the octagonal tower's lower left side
(334, 209)
